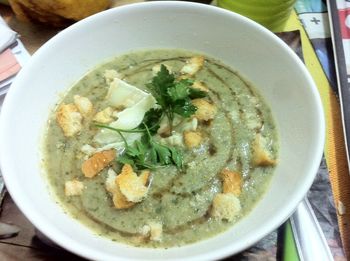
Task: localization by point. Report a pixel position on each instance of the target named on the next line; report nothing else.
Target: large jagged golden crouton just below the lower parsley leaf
(133, 187)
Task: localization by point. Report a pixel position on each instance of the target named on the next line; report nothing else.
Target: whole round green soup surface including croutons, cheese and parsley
(203, 170)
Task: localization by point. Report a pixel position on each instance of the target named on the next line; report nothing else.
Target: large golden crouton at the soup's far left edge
(69, 119)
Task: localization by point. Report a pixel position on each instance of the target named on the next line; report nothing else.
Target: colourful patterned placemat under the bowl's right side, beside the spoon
(331, 188)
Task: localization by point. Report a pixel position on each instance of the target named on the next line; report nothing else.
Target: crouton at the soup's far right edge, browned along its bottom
(260, 154)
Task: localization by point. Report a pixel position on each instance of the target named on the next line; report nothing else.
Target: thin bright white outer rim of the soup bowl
(64, 240)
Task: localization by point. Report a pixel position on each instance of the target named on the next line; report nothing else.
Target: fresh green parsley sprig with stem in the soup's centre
(173, 97)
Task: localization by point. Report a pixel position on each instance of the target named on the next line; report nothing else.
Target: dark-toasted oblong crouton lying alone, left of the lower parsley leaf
(97, 162)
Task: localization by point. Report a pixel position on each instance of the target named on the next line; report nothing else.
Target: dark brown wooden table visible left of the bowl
(26, 245)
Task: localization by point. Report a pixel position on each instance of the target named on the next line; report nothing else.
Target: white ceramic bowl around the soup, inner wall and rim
(256, 53)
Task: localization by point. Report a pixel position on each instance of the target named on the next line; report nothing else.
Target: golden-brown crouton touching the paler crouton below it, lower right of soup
(231, 182)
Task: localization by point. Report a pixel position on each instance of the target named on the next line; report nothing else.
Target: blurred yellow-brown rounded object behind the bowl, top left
(56, 13)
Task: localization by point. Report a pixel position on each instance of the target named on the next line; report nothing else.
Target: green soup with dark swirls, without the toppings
(179, 200)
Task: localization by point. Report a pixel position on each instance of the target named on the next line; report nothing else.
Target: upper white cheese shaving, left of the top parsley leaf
(122, 94)
